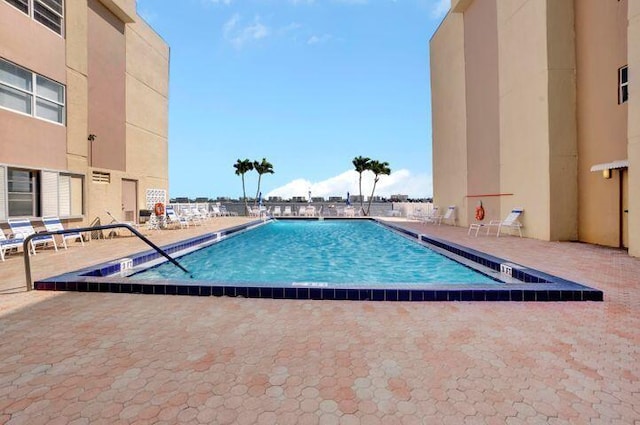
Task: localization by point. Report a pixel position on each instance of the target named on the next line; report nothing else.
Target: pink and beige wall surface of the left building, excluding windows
(116, 72)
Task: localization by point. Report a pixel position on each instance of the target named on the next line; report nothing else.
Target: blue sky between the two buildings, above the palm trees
(307, 84)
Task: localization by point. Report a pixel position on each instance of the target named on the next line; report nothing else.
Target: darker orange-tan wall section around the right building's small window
(601, 45)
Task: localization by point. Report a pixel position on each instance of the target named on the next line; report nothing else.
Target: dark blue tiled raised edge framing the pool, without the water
(536, 285)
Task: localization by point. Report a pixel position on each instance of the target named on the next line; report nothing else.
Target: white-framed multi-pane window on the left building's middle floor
(17, 93)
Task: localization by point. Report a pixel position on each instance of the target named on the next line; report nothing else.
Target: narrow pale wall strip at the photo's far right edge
(633, 149)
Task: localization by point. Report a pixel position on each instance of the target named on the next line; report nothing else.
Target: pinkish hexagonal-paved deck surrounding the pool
(86, 358)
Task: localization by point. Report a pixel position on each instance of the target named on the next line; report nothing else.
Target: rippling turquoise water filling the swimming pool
(334, 252)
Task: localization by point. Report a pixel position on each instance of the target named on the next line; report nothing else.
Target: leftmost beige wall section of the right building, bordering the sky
(449, 115)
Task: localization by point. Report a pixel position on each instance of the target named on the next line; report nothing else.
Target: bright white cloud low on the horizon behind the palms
(399, 182)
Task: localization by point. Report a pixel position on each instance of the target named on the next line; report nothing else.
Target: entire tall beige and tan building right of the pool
(532, 107)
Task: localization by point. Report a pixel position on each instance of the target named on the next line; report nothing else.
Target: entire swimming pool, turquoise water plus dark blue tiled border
(262, 272)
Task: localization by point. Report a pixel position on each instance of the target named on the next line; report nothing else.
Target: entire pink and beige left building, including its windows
(83, 110)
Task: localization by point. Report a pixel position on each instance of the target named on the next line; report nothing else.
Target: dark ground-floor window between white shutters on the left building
(21, 192)
